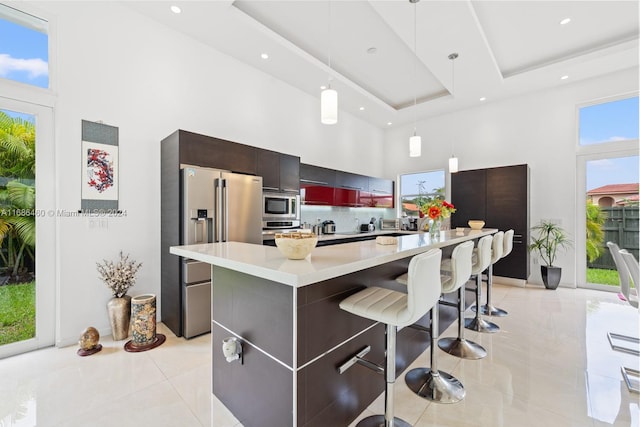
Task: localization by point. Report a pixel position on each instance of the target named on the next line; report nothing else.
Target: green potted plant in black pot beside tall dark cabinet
(547, 239)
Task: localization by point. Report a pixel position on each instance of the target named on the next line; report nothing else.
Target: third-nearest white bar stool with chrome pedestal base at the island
(460, 265)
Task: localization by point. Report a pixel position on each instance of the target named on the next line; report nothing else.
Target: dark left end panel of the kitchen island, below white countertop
(260, 391)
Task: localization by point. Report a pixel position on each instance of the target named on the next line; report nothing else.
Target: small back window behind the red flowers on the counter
(417, 188)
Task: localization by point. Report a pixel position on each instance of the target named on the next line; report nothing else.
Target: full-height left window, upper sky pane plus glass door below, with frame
(27, 291)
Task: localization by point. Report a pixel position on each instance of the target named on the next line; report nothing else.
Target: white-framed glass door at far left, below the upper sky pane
(27, 228)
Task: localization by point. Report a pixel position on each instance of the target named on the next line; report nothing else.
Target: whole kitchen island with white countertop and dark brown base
(293, 333)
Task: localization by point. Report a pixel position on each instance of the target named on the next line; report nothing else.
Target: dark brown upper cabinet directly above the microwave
(279, 172)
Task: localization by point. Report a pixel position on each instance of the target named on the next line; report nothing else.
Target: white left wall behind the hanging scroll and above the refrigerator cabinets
(116, 66)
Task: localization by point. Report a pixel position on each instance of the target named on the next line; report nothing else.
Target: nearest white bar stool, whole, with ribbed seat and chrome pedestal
(397, 309)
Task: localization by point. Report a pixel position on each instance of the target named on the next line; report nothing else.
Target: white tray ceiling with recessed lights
(505, 48)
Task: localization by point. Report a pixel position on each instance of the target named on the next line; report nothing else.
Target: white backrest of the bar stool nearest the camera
(423, 284)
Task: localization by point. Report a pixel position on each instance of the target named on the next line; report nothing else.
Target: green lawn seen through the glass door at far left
(17, 312)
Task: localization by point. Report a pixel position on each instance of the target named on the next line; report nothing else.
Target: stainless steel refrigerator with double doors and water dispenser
(217, 206)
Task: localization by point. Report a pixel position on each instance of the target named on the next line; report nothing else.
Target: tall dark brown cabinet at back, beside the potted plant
(500, 197)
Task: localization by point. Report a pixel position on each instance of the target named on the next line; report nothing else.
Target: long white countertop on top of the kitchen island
(324, 262)
